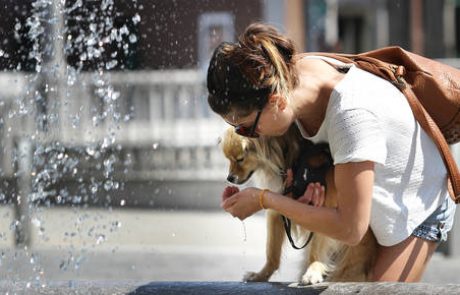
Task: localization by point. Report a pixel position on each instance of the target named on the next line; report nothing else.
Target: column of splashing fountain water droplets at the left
(52, 123)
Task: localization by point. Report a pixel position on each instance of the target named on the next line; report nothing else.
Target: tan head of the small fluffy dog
(242, 154)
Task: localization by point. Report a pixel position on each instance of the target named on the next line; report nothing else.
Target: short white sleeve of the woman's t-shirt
(356, 135)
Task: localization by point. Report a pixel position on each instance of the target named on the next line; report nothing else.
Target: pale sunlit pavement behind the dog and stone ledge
(101, 247)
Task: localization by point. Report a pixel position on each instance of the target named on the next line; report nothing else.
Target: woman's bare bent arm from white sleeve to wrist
(350, 220)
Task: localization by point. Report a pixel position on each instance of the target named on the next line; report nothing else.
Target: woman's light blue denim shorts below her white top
(438, 224)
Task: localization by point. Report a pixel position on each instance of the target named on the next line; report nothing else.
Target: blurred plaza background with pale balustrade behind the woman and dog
(110, 166)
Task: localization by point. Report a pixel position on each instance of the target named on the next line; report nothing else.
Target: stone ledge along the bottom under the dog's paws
(198, 288)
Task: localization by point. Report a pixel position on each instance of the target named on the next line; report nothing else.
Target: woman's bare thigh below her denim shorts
(404, 262)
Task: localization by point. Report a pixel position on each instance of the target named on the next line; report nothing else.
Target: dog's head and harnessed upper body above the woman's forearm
(271, 156)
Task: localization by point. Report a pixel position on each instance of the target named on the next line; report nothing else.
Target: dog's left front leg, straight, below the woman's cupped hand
(275, 238)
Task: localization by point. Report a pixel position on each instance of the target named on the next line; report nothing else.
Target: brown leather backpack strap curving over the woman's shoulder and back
(394, 74)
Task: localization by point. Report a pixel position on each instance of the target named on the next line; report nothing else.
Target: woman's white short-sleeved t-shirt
(368, 119)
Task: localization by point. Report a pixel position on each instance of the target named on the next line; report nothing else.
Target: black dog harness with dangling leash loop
(305, 174)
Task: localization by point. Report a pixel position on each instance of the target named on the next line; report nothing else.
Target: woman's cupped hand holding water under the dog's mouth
(241, 204)
